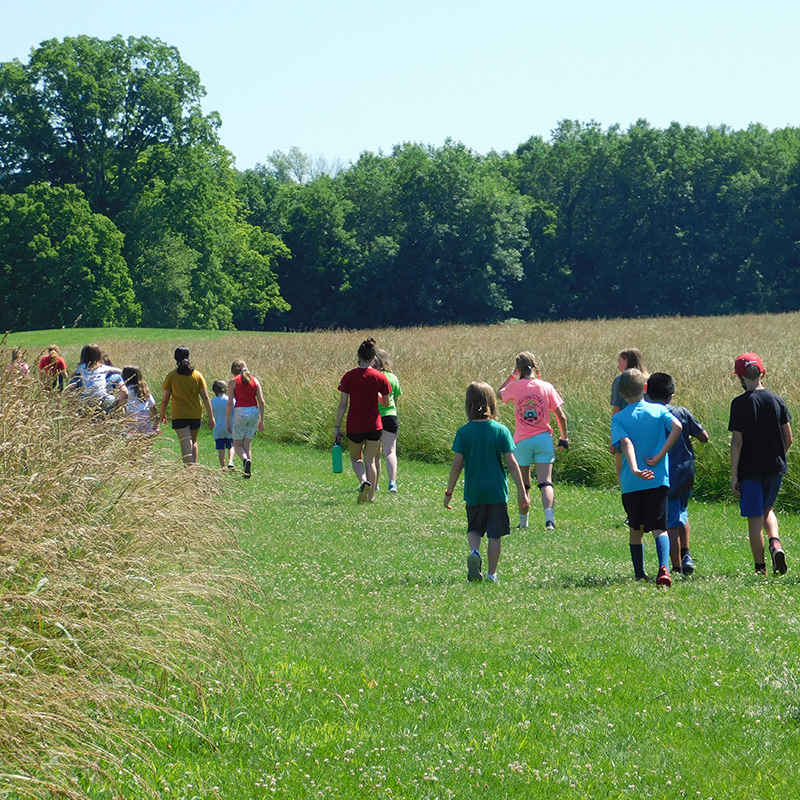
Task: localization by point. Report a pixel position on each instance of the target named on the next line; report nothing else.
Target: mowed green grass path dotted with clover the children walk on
(373, 669)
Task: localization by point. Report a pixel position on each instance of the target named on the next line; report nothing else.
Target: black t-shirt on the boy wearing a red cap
(759, 416)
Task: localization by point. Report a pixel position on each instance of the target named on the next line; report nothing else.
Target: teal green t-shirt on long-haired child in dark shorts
(483, 445)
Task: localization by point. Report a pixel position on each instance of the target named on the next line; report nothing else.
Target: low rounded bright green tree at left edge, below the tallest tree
(60, 262)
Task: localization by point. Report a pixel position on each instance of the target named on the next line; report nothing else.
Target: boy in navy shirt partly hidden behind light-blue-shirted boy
(660, 389)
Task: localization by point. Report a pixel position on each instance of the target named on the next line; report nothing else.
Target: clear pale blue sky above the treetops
(338, 77)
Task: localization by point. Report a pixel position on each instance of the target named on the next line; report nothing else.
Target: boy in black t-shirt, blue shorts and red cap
(759, 423)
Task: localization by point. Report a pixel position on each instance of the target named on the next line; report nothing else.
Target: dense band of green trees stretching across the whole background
(119, 206)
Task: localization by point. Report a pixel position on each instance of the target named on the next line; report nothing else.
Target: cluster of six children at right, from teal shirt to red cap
(652, 440)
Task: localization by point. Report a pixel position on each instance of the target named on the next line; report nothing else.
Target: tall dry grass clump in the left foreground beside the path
(111, 584)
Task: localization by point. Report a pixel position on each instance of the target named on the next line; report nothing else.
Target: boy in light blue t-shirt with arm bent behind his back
(644, 432)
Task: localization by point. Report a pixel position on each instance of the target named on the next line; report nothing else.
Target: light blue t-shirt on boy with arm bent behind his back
(647, 425)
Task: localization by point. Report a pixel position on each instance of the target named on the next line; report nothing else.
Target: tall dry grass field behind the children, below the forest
(300, 373)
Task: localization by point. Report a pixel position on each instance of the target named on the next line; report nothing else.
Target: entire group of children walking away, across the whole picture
(650, 437)
